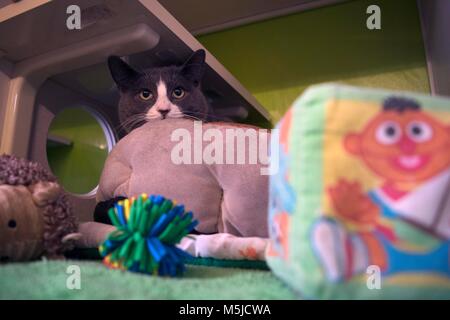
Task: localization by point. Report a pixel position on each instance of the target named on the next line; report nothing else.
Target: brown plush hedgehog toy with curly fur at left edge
(36, 218)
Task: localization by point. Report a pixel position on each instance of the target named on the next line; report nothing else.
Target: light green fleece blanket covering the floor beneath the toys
(48, 280)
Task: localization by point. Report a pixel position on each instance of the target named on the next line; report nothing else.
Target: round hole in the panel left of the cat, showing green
(78, 143)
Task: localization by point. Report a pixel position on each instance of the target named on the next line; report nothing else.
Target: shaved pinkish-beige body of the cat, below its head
(229, 197)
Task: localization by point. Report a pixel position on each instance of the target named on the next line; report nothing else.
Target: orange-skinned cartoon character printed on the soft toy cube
(408, 152)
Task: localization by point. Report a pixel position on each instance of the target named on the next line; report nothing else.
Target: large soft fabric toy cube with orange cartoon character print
(360, 206)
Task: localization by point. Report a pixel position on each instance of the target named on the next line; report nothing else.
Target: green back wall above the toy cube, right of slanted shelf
(277, 59)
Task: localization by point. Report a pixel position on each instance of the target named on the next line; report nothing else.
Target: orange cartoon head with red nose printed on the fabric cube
(403, 145)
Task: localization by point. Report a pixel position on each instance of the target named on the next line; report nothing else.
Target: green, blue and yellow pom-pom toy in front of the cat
(148, 229)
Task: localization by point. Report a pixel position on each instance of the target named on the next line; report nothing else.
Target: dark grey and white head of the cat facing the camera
(160, 93)
